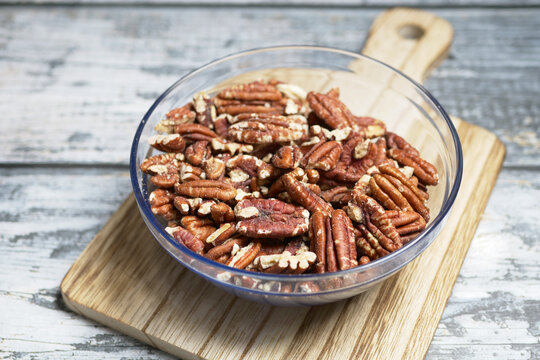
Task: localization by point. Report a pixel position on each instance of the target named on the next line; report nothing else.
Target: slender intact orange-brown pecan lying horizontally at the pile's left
(206, 189)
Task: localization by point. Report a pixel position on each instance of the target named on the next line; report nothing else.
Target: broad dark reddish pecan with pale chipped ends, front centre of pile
(270, 218)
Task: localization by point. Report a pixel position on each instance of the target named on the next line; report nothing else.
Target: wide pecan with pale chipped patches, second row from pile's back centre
(266, 129)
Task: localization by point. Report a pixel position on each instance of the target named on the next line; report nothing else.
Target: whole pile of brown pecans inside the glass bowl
(266, 177)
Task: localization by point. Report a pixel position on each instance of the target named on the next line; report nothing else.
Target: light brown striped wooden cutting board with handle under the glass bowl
(125, 280)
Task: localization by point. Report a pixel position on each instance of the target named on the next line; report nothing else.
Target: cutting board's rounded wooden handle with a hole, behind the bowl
(411, 40)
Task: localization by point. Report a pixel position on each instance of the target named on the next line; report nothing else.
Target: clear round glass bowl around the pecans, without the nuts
(369, 88)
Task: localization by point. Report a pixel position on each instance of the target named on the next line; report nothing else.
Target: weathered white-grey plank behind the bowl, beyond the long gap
(92, 84)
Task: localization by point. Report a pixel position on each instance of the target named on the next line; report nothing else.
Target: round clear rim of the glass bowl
(147, 213)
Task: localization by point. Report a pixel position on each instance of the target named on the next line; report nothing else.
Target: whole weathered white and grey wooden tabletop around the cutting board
(76, 78)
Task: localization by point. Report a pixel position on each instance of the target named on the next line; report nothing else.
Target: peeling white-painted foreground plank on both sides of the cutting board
(49, 215)
